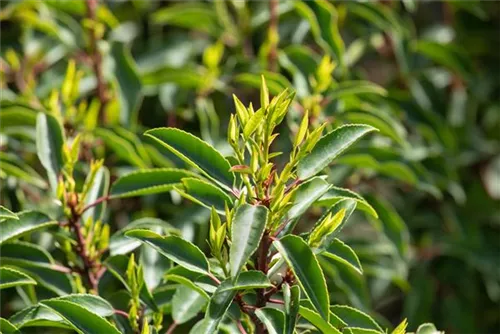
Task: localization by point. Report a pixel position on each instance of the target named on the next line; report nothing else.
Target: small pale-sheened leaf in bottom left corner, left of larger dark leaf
(38, 316)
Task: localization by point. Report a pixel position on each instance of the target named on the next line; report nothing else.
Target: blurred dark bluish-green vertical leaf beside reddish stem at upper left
(129, 83)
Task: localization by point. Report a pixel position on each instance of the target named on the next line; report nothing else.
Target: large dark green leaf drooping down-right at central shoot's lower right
(305, 266)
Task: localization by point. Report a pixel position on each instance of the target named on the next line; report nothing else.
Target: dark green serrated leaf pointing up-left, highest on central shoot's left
(196, 153)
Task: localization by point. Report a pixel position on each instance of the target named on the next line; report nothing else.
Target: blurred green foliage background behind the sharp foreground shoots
(426, 73)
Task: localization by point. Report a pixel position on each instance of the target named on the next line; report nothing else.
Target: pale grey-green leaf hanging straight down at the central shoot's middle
(247, 229)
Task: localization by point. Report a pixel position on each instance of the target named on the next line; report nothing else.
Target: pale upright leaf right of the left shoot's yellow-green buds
(98, 189)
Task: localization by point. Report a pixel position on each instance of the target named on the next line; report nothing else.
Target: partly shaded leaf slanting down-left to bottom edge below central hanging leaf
(219, 303)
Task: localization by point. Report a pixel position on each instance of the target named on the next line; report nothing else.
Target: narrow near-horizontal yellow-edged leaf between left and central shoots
(148, 181)
